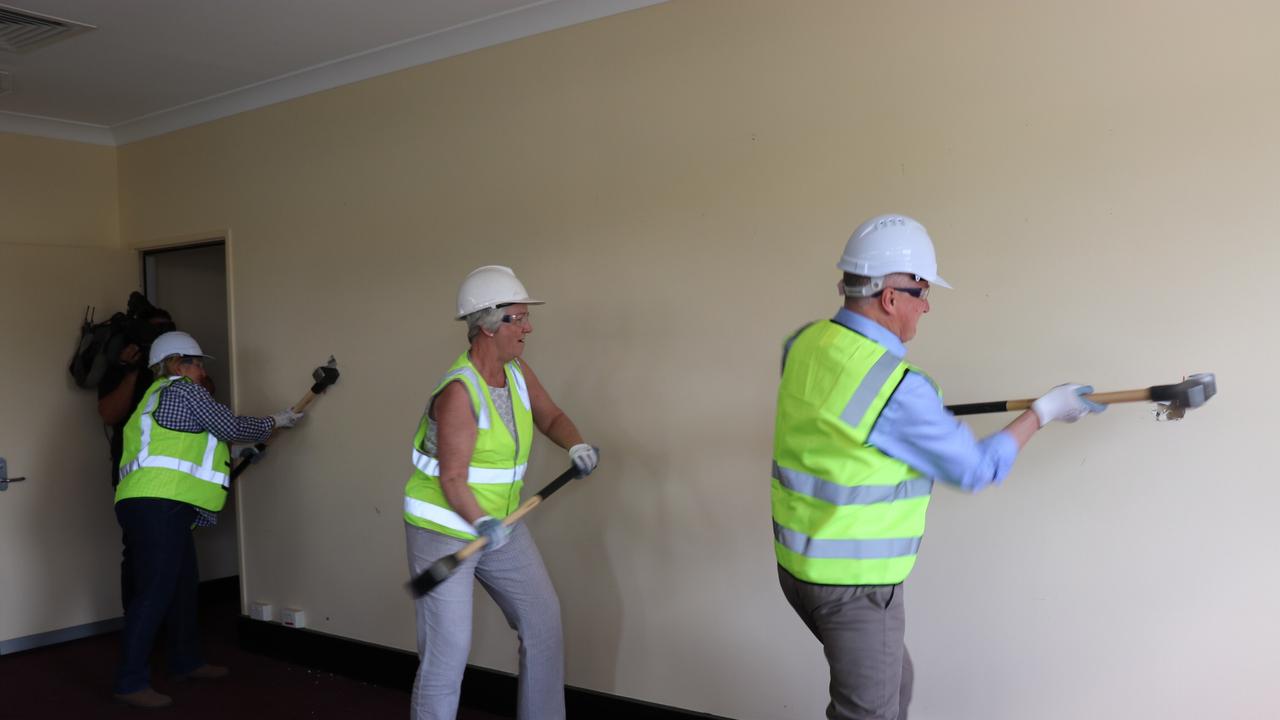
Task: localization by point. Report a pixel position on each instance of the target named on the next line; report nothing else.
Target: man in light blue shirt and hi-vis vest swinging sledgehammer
(860, 439)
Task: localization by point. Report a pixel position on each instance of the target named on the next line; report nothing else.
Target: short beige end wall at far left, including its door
(60, 544)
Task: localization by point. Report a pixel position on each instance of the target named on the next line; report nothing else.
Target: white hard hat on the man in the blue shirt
(890, 244)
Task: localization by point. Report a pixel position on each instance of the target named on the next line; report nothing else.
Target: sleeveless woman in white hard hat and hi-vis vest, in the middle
(470, 455)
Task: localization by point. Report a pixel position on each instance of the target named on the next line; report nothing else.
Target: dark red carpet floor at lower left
(75, 681)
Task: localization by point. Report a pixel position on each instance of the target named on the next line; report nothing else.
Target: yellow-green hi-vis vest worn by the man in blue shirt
(844, 513)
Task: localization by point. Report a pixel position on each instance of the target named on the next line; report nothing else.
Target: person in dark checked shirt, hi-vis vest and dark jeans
(175, 475)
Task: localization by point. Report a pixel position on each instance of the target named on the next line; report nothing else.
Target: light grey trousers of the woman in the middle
(516, 580)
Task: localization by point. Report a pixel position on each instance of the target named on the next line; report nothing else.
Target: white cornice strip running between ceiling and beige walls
(486, 33)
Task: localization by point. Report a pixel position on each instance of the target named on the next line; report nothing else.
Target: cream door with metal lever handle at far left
(60, 543)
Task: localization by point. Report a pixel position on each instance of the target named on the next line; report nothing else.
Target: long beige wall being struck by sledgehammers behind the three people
(678, 183)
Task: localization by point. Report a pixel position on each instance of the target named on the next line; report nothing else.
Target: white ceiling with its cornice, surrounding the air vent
(158, 66)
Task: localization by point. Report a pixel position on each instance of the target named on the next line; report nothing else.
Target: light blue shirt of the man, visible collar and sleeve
(917, 430)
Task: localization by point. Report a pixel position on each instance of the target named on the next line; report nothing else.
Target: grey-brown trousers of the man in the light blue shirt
(861, 630)
